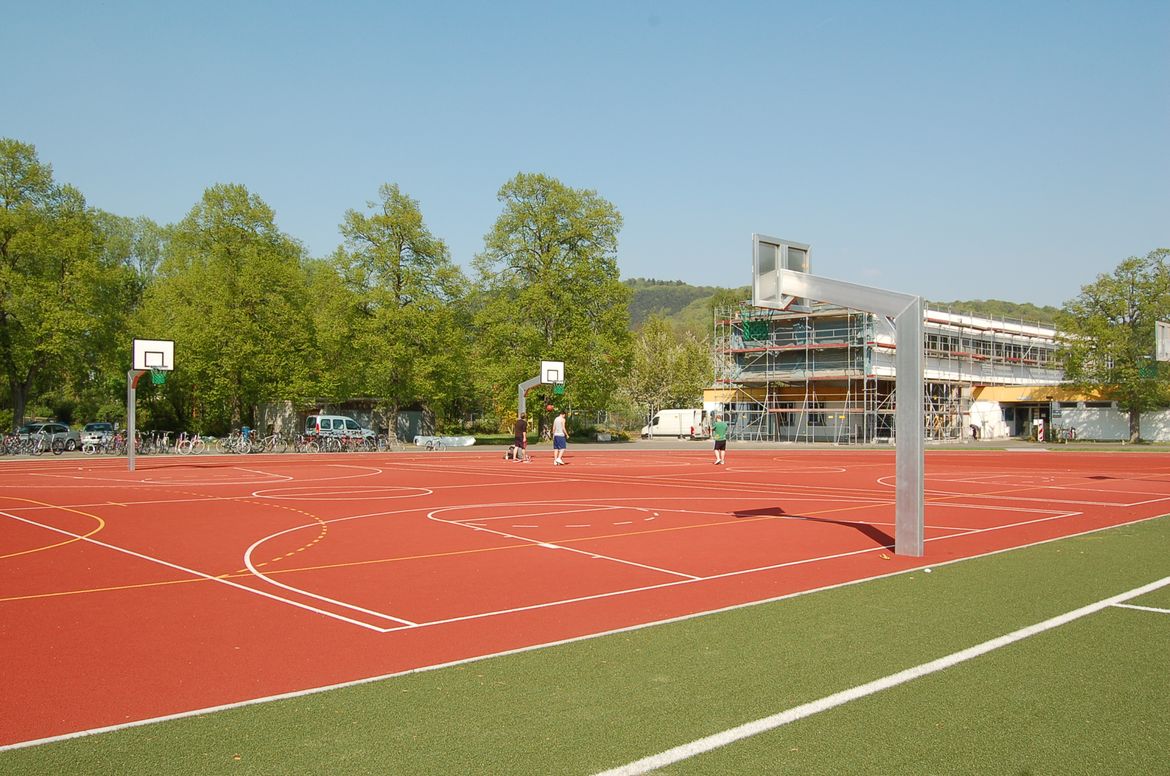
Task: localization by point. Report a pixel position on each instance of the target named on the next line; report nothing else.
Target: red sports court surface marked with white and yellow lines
(194, 583)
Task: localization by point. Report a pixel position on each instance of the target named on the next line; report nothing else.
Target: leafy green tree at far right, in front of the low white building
(1109, 331)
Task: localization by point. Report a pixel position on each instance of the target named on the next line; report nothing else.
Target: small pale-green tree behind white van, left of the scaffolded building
(669, 369)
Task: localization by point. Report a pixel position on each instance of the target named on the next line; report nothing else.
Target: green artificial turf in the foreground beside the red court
(1091, 697)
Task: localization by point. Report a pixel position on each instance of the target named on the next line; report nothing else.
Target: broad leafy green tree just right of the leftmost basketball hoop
(232, 293)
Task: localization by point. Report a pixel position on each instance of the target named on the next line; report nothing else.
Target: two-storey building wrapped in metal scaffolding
(828, 374)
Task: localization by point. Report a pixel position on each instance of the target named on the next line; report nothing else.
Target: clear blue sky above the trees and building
(979, 150)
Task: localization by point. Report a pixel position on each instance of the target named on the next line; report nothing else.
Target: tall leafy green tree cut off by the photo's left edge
(58, 290)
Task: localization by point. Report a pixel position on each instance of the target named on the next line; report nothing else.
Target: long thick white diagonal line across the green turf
(767, 724)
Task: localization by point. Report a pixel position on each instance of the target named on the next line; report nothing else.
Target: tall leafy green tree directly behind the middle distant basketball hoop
(550, 290)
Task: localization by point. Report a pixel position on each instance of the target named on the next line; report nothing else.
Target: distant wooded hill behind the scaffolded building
(690, 307)
